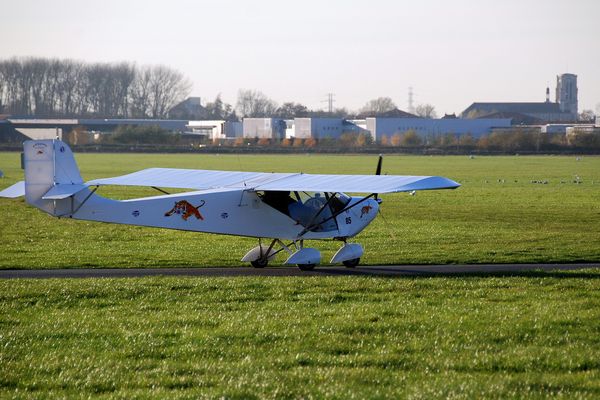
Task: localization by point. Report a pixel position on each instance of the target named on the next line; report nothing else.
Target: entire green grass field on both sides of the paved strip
(519, 335)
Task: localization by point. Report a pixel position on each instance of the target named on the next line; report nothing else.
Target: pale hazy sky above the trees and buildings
(451, 53)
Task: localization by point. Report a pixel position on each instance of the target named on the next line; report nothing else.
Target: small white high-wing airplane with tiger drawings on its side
(281, 207)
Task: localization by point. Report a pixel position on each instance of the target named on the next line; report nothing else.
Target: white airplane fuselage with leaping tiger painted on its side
(231, 212)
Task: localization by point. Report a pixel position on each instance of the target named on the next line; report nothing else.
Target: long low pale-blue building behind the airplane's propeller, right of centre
(426, 127)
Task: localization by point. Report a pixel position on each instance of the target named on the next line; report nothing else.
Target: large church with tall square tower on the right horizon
(563, 110)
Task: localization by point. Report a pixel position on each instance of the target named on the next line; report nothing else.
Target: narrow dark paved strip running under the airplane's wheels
(384, 270)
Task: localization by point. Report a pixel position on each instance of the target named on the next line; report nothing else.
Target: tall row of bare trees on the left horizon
(68, 88)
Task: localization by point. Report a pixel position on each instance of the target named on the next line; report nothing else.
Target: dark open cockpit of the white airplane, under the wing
(313, 210)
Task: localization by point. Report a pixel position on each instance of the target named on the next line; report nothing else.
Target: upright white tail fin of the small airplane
(51, 175)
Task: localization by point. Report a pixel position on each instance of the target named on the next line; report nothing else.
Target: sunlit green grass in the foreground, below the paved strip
(529, 335)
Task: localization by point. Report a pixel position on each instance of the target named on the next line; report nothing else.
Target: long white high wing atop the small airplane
(207, 179)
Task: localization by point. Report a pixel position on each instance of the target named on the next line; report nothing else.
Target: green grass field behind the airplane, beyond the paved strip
(497, 216)
